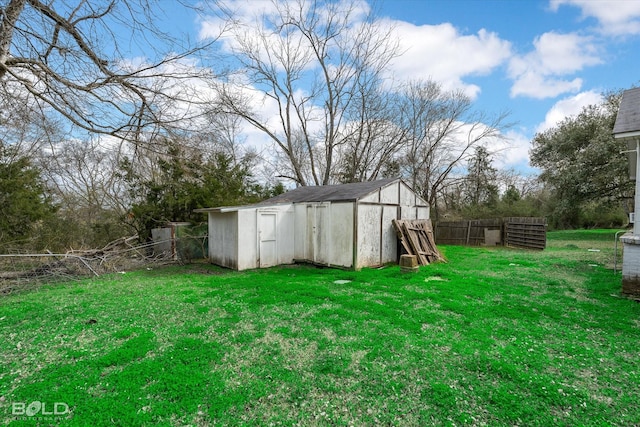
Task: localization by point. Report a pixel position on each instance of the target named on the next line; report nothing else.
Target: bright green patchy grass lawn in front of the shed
(495, 336)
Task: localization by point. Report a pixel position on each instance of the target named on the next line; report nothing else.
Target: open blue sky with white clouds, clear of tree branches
(540, 60)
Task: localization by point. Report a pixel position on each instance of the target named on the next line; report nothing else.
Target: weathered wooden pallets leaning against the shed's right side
(416, 237)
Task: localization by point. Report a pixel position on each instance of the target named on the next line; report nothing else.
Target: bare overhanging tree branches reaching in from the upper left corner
(68, 58)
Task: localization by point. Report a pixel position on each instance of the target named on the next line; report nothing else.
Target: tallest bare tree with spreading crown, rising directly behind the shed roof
(307, 60)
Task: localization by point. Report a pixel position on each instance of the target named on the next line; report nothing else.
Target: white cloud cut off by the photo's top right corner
(616, 17)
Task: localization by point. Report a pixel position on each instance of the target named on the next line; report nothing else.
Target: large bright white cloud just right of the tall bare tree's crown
(441, 53)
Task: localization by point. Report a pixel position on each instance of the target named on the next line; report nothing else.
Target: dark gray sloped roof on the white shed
(330, 193)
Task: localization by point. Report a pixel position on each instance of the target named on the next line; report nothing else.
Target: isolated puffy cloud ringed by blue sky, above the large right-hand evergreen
(539, 73)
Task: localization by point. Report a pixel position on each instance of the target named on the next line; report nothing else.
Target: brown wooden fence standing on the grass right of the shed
(521, 232)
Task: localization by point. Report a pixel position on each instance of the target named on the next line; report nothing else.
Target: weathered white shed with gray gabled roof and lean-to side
(346, 225)
